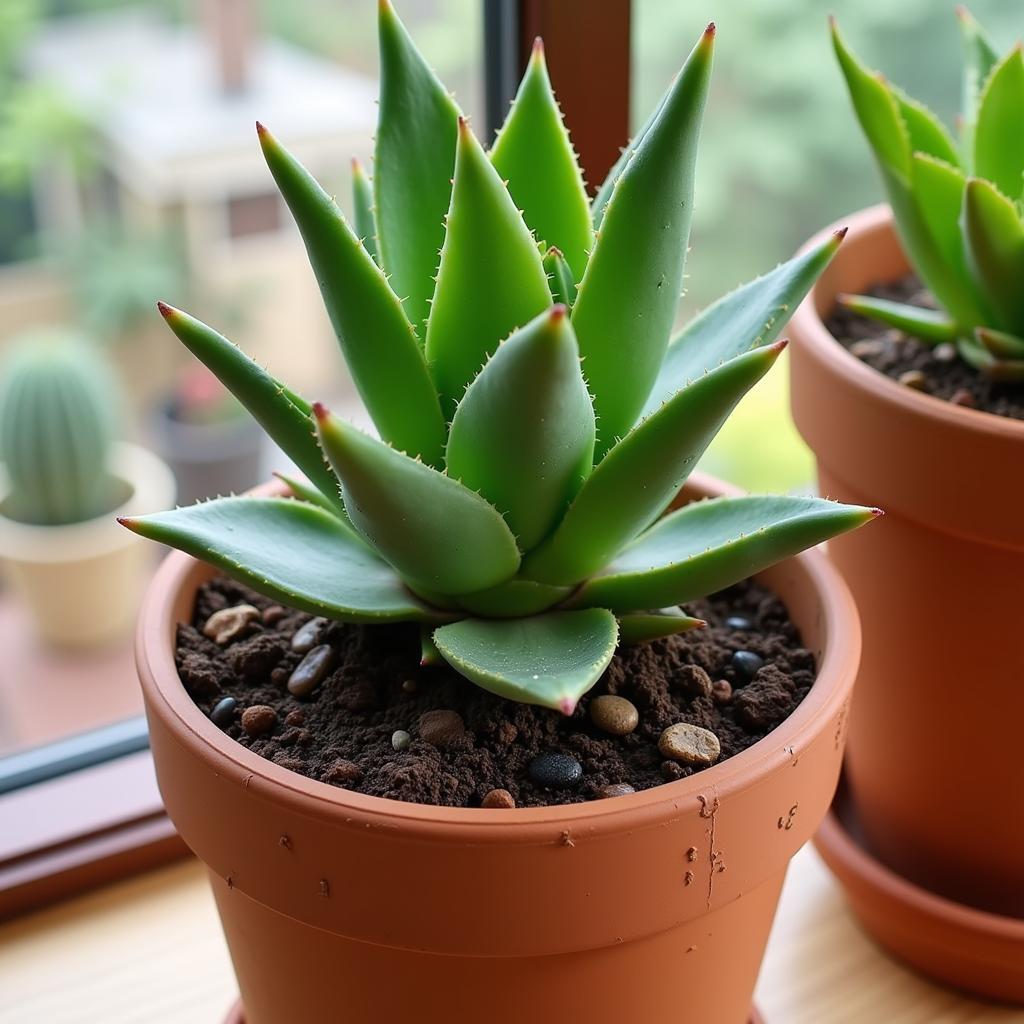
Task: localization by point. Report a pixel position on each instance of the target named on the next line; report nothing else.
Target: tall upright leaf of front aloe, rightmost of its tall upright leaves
(627, 301)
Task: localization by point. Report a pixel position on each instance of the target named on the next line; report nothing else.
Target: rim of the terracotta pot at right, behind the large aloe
(816, 335)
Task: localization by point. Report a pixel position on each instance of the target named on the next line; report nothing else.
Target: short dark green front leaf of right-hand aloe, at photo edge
(994, 239)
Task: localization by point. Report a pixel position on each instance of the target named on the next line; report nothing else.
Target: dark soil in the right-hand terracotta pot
(936, 370)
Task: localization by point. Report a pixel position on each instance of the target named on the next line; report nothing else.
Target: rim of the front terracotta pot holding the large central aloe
(159, 677)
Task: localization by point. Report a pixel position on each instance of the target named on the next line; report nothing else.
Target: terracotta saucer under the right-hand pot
(959, 946)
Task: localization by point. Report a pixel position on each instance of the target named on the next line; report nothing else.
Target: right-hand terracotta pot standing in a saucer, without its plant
(933, 761)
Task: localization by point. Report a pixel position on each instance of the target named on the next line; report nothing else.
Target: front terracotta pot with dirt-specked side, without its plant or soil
(342, 906)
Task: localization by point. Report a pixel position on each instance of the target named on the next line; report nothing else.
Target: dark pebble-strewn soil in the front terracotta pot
(342, 734)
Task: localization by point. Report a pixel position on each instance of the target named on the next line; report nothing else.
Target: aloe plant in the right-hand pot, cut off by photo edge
(958, 203)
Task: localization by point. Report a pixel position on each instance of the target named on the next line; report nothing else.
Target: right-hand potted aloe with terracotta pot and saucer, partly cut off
(909, 385)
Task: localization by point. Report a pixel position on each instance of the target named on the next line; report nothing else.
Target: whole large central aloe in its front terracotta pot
(438, 723)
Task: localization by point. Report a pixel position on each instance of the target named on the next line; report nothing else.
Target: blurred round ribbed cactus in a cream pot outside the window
(63, 477)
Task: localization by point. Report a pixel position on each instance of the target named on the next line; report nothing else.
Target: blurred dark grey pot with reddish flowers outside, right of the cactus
(204, 435)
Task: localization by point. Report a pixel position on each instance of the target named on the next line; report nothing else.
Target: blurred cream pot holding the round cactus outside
(83, 582)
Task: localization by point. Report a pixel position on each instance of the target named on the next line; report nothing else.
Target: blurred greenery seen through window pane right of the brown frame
(782, 154)
